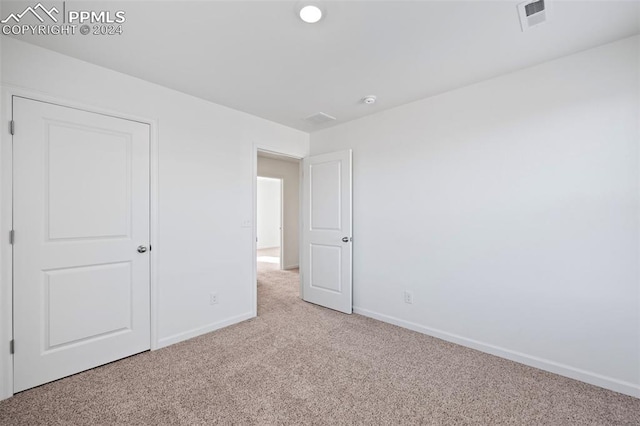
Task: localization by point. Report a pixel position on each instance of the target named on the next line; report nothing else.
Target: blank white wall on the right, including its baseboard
(510, 209)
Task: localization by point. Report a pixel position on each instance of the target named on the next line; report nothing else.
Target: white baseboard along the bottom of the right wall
(610, 383)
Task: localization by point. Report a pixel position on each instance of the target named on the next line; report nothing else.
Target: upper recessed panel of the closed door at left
(88, 197)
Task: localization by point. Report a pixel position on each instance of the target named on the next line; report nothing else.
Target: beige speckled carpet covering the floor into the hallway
(298, 363)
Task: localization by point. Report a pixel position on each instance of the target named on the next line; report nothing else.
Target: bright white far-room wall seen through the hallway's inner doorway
(269, 206)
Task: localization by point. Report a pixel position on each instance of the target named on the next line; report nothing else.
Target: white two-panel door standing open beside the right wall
(327, 240)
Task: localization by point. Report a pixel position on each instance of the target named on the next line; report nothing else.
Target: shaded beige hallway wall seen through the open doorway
(289, 172)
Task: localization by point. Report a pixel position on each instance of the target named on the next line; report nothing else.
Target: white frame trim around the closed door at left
(7, 92)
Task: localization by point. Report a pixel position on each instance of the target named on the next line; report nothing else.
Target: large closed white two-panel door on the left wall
(81, 222)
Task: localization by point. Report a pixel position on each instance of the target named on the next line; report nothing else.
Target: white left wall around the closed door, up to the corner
(206, 175)
